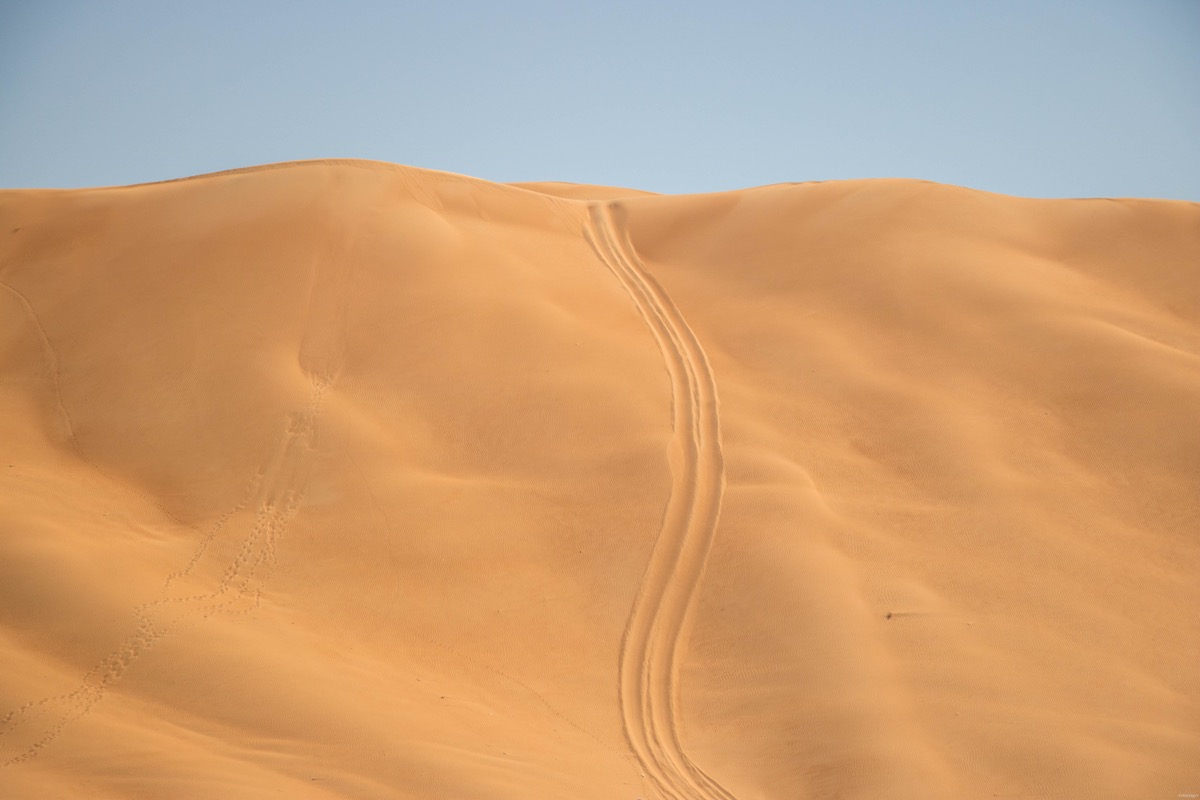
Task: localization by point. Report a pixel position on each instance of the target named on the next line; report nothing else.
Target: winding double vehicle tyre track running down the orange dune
(656, 637)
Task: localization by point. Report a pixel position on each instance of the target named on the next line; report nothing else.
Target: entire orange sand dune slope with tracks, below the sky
(350, 480)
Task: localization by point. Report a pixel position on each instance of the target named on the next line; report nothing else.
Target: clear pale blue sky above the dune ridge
(1041, 99)
